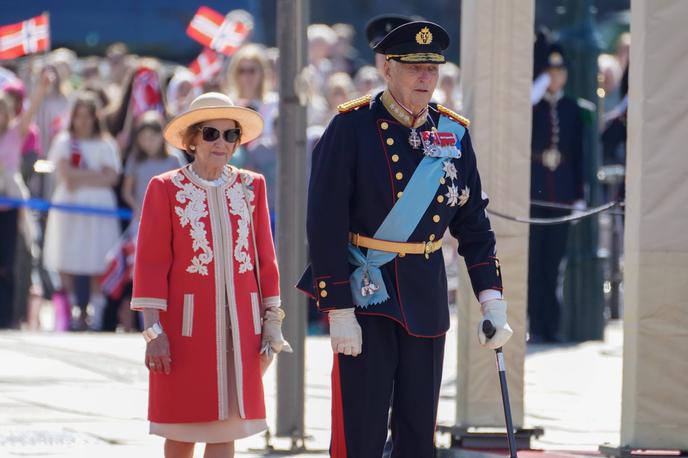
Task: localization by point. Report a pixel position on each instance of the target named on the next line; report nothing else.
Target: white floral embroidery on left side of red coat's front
(191, 214)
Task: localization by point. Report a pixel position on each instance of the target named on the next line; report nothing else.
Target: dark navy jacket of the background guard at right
(563, 183)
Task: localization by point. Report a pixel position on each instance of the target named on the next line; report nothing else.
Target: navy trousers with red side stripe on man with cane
(394, 370)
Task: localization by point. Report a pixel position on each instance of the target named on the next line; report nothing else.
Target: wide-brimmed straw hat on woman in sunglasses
(210, 106)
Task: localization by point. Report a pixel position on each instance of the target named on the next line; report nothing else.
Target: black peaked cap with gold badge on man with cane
(418, 42)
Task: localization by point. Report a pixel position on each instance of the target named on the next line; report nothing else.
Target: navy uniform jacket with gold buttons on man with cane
(360, 167)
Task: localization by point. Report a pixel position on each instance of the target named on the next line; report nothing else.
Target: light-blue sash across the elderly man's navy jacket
(367, 285)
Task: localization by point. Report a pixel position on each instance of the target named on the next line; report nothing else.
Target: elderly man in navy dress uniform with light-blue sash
(390, 175)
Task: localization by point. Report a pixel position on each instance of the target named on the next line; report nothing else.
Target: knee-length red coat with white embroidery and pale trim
(195, 262)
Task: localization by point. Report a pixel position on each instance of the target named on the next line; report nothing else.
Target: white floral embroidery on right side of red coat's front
(237, 206)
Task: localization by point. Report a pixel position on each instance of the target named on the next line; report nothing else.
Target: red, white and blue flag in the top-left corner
(26, 37)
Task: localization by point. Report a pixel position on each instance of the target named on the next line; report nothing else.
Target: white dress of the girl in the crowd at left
(77, 243)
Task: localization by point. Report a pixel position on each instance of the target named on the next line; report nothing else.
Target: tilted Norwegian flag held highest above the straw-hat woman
(217, 32)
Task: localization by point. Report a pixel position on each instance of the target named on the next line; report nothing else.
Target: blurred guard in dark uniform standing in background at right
(556, 177)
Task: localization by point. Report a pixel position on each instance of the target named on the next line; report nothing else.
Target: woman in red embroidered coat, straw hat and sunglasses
(206, 279)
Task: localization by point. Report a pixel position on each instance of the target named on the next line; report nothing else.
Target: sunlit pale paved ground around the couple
(78, 395)
